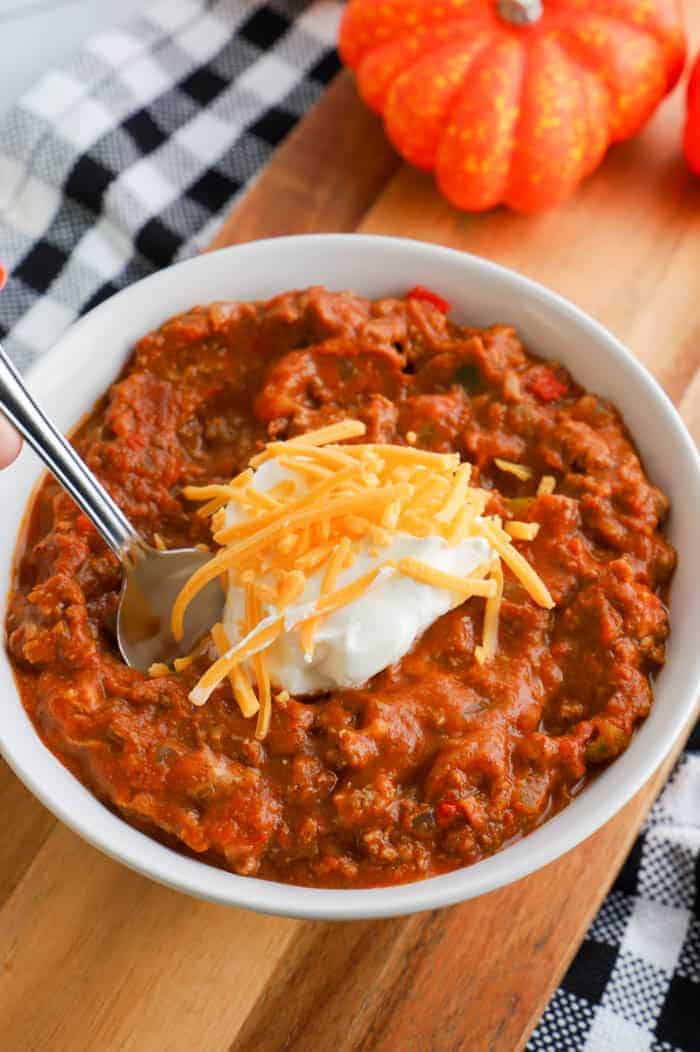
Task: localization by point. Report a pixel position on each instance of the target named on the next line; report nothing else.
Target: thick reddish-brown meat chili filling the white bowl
(437, 762)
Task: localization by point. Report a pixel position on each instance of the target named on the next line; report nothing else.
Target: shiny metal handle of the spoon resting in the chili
(65, 463)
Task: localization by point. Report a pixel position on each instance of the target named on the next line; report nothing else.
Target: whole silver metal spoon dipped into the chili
(152, 579)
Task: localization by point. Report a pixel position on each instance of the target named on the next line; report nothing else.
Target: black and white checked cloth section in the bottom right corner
(635, 984)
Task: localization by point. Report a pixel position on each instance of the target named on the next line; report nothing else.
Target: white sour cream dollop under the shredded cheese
(374, 632)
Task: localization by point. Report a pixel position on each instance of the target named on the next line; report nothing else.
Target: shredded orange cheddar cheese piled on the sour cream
(341, 500)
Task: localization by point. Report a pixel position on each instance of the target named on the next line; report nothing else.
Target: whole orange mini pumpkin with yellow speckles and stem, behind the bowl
(512, 102)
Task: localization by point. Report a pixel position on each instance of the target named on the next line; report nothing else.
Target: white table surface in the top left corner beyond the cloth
(37, 34)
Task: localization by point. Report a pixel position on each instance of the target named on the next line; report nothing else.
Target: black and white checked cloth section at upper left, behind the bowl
(128, 157)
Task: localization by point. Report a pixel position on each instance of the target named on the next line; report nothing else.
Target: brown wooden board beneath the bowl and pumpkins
(93, 957)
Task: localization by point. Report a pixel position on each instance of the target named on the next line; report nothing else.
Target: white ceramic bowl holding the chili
(71, 378)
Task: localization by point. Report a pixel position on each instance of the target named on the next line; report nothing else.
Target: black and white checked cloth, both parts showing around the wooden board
(126, 159)
